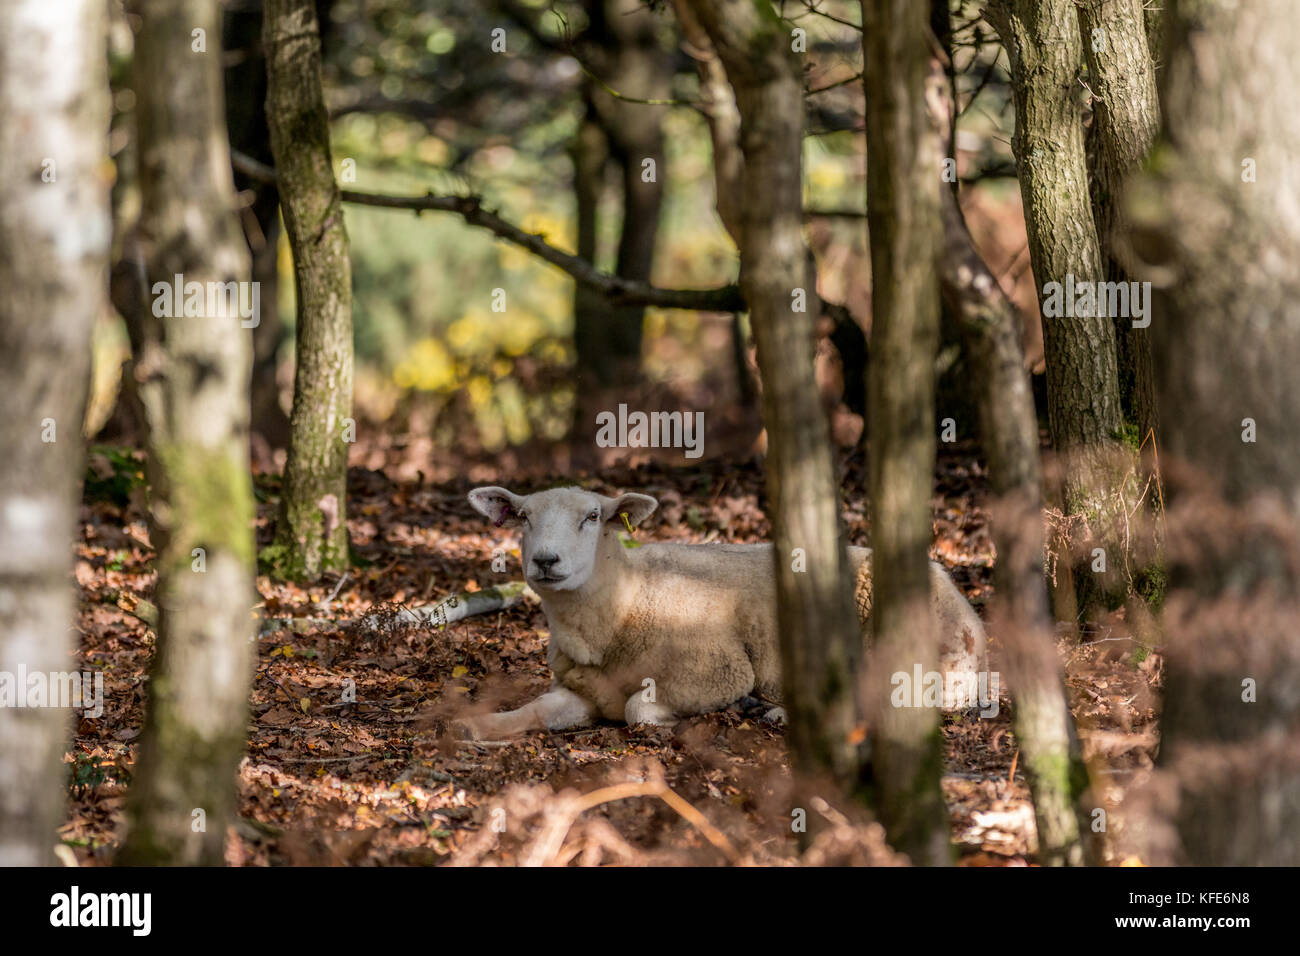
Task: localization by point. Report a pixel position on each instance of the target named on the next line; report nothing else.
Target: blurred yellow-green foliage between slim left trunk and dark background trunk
(428, 318)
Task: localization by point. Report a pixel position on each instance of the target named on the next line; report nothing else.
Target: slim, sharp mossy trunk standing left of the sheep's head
(311, 537)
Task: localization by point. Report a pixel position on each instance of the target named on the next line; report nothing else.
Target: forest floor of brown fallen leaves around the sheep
(383, 781)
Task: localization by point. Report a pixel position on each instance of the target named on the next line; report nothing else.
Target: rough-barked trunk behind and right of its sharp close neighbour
(1125, 120)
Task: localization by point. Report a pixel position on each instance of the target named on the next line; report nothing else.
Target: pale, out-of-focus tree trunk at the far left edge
(54, 257)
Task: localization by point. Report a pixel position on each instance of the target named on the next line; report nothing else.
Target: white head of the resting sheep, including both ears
(561, 529)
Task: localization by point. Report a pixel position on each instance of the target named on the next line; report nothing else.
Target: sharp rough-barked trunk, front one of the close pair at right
(1042, 38)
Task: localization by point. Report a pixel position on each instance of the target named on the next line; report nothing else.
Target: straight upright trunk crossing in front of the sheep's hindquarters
(904, 184)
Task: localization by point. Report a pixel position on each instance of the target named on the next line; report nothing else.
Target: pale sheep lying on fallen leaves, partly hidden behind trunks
(662, 631)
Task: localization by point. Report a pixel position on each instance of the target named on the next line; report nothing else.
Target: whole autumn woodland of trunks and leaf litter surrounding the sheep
(826, 226)
